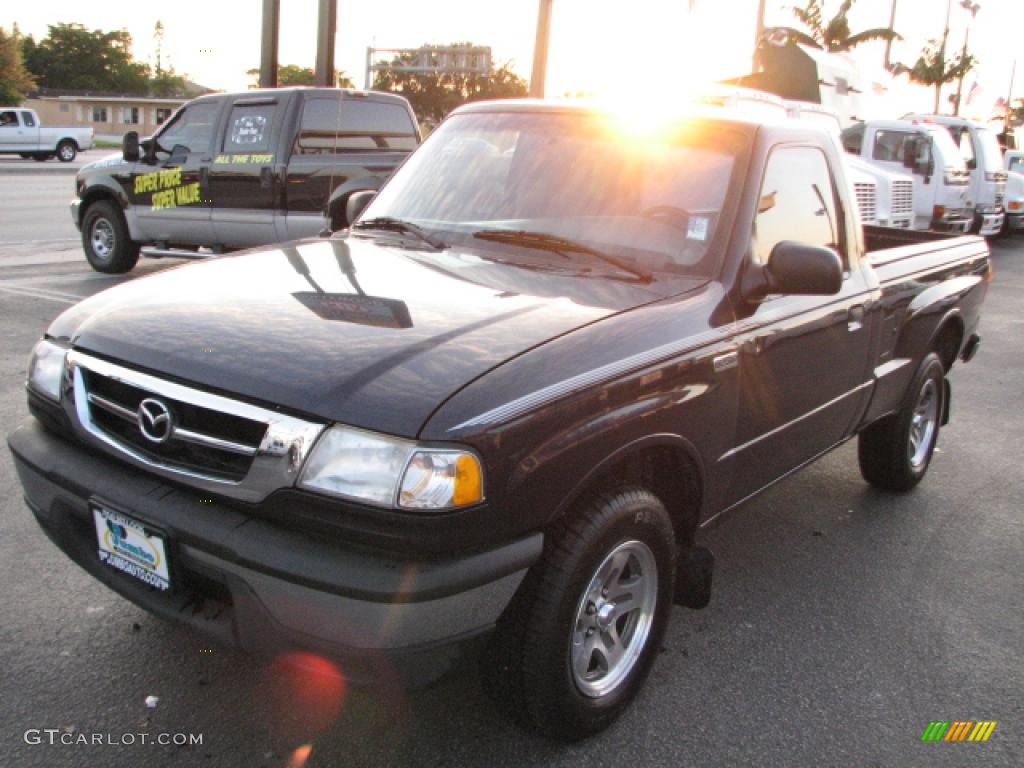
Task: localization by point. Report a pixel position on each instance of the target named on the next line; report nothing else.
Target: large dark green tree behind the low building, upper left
(72, 58)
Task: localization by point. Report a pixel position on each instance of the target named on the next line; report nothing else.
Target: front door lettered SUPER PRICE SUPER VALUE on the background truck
(172, 197)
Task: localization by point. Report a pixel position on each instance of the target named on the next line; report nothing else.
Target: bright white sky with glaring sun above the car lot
(598, 47)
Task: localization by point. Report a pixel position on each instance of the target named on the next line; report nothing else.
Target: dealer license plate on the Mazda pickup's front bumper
(131, 547)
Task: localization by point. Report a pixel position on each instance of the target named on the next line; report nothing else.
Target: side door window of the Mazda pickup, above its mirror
(798, 202)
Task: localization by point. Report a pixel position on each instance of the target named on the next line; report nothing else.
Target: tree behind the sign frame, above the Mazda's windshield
(435, 95)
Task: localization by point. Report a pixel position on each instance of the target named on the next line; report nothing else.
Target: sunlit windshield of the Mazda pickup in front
(495, 182)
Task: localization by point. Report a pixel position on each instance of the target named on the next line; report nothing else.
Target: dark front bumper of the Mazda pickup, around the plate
(260, 586)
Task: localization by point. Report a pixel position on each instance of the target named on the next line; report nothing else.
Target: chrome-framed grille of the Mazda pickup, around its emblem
(208, 441)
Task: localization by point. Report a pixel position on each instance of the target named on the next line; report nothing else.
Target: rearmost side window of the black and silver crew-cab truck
(332, 126)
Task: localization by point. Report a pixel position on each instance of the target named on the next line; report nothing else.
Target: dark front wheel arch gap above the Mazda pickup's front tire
(666, 464)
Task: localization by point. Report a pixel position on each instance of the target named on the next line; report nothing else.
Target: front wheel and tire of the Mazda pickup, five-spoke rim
(579, 638)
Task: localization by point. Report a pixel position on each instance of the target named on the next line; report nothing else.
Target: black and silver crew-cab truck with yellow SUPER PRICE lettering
(238, 170)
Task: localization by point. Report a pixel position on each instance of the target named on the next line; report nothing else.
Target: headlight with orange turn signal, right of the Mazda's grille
(389, 472)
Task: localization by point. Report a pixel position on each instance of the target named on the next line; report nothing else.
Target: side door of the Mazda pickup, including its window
(804, 361)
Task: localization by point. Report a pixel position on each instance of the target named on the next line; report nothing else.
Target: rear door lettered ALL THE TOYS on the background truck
(244, 178)
